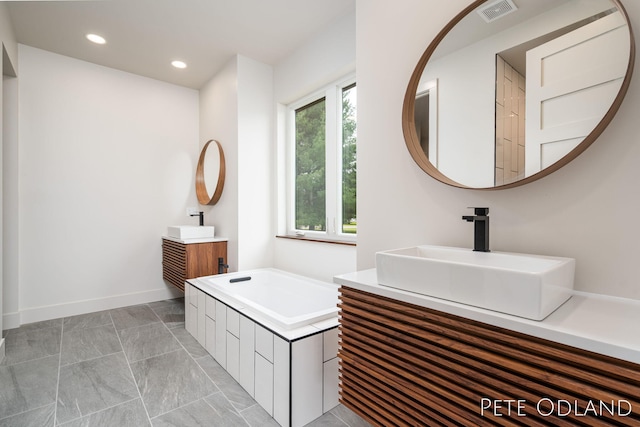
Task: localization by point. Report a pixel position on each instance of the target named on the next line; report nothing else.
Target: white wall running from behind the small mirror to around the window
(238, 107)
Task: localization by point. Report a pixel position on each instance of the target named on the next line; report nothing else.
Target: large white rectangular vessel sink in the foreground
(529, 286)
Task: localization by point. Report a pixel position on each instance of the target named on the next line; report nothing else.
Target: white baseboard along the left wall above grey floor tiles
(37, 314)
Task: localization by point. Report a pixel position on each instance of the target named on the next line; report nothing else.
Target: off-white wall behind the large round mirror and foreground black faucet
(585, 210)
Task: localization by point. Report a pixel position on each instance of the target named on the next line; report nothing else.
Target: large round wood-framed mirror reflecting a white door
(512, 90)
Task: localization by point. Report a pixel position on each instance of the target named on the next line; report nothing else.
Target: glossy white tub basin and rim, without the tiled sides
(284, 299)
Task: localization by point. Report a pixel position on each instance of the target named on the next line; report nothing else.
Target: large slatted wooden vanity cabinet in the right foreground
(403, 364)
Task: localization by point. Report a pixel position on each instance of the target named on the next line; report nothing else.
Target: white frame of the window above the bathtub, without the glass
(332, 93)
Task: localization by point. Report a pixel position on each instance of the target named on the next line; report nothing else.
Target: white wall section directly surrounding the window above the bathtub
(326, 58)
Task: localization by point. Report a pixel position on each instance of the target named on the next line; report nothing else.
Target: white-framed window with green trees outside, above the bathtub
(322, 164)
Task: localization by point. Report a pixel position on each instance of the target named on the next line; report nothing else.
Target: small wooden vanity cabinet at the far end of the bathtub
(182, 261)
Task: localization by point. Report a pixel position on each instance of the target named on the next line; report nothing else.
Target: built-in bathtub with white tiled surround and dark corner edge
(275, 333)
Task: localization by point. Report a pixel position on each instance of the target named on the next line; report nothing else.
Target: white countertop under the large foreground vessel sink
(598, 323)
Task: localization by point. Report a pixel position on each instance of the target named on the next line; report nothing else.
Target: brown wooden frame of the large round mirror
(408, 111)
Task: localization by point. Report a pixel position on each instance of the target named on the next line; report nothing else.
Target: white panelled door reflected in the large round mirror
(566, 94)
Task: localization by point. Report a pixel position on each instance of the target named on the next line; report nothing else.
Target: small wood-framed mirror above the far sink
(210, 173)
